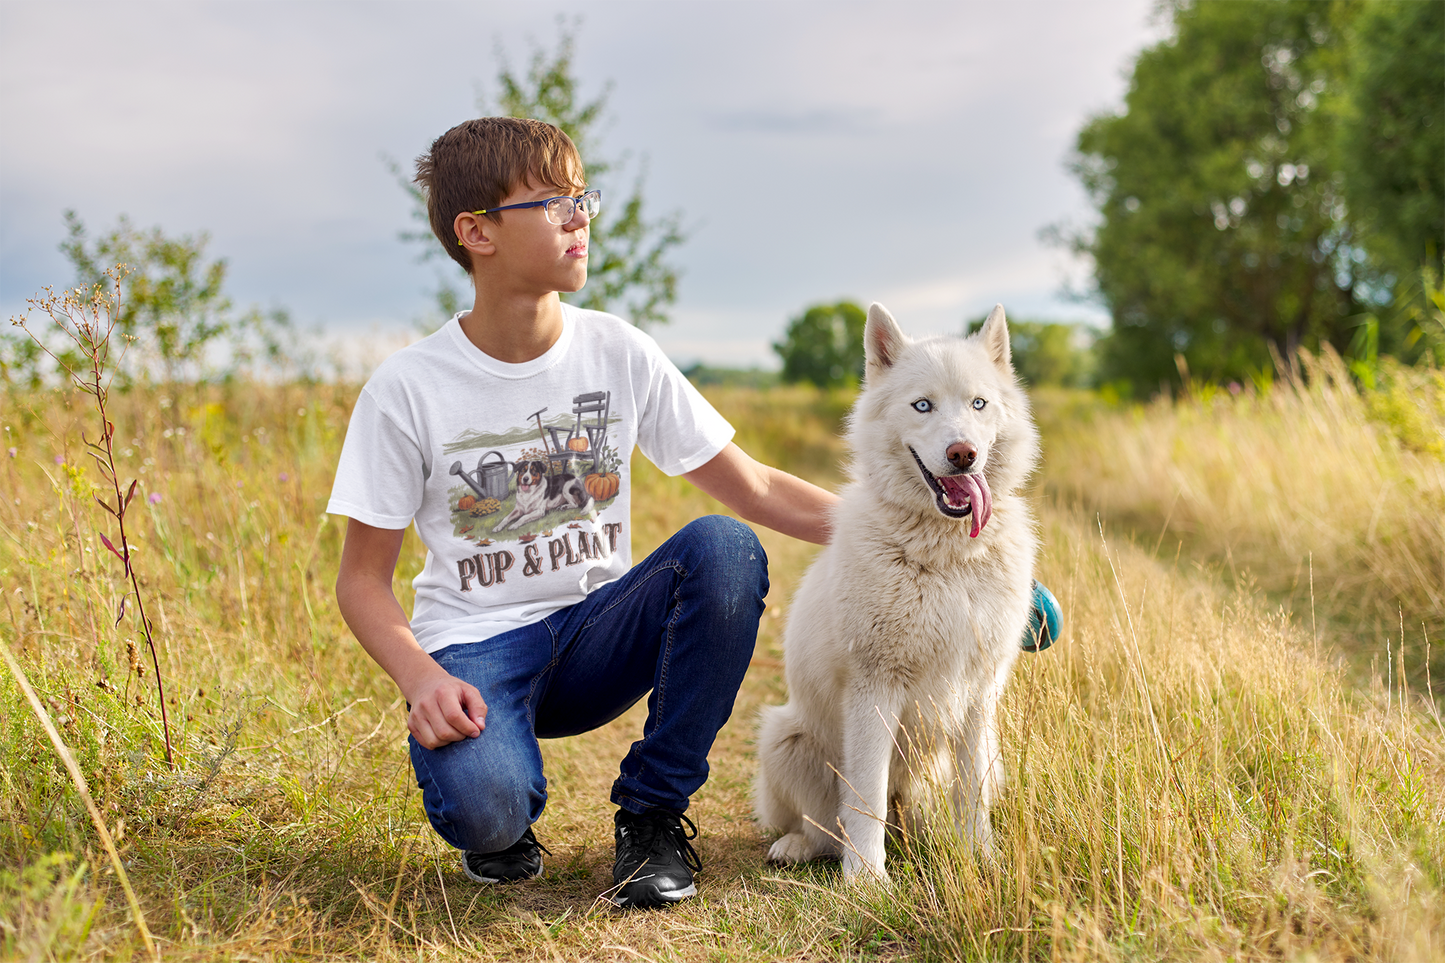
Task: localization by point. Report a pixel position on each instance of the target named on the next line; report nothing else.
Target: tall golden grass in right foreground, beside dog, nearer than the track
(1193, 782)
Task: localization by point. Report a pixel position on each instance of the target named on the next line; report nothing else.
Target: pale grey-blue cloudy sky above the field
(907, 153)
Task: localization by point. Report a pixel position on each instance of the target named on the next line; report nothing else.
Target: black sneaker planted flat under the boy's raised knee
(655, 861)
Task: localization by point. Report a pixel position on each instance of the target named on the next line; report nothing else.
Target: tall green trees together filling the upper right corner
(1275, 180)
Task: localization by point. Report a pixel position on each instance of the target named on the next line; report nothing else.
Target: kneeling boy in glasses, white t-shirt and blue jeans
(534, 622)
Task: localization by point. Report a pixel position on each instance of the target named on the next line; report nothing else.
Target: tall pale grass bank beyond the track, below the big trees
(1332, 500)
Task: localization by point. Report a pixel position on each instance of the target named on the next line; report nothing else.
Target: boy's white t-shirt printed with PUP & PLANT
(517, 475)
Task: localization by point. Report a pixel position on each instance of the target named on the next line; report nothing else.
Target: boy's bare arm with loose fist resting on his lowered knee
(444, 709)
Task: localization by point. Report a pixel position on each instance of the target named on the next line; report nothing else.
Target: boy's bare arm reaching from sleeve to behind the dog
(768, 497)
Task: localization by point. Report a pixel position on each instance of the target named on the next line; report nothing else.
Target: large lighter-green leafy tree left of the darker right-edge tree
(1223, 232)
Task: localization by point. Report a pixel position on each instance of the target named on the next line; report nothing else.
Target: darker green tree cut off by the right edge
(1394, 131)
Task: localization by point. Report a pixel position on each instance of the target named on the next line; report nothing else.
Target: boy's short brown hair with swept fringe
(479, 163)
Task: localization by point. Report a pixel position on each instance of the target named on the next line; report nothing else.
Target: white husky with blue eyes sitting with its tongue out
(904, 631)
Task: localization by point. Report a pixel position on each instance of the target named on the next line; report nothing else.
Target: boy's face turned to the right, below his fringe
(530, 252)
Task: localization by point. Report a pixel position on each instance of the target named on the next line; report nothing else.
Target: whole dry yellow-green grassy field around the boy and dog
(1193, 774)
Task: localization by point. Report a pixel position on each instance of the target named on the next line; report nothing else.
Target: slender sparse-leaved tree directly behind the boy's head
(628, 268)
